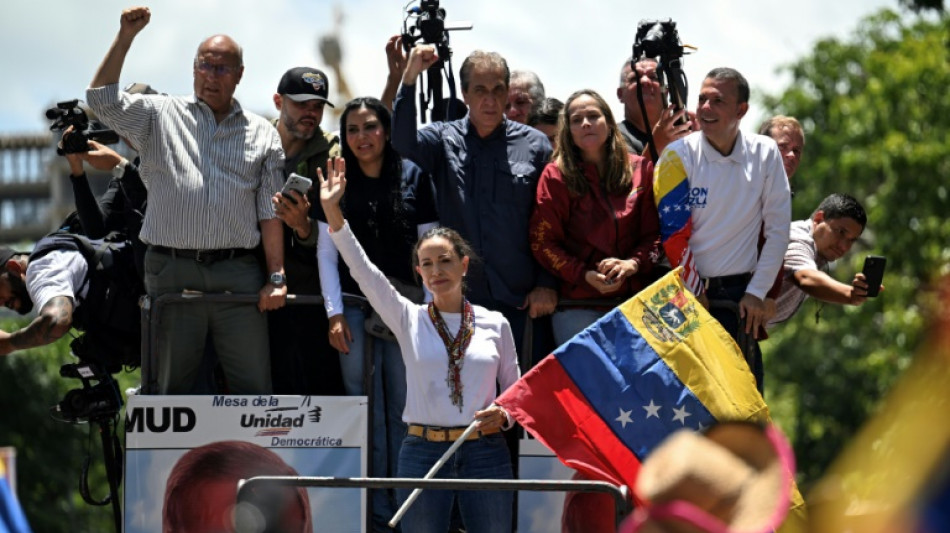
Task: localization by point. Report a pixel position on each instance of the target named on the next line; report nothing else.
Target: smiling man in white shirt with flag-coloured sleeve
(716, 190)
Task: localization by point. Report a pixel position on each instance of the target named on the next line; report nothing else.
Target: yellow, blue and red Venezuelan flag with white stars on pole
(656, 364)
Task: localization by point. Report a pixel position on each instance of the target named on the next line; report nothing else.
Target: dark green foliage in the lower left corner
(50, 453)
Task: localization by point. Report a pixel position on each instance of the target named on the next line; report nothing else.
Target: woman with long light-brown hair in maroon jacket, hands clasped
(595, 224)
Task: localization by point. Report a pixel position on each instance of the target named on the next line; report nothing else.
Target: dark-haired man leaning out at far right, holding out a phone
(813, 244)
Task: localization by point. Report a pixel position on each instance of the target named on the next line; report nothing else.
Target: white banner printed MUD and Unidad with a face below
(203, 440)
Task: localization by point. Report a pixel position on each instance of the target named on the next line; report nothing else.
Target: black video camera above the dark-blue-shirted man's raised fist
(430, 27)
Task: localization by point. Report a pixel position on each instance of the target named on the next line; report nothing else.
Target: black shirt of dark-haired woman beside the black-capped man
(387, 237)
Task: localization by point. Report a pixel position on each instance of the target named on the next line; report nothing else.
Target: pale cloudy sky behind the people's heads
(52, 48)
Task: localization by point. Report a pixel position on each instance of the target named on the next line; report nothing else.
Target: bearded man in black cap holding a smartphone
(302, 363)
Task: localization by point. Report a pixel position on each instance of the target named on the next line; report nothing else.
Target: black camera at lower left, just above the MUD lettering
(93, 401)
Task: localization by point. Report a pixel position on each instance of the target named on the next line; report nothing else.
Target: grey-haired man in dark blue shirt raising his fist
(485, 169)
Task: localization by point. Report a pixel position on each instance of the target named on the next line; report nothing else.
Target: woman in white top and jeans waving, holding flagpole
(456, 356)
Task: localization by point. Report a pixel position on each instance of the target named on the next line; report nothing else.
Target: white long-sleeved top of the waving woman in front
(490, 360)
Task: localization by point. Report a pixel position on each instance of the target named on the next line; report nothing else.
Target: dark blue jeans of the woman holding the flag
(483, 511)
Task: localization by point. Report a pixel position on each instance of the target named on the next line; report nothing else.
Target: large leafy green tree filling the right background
(876, 112)
